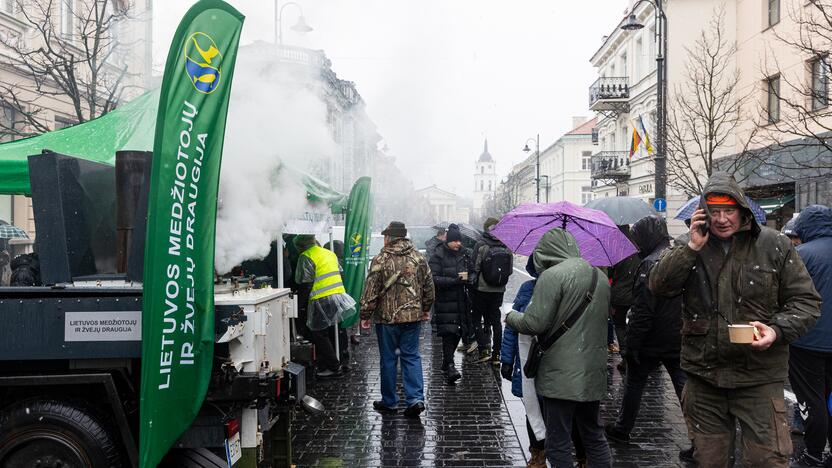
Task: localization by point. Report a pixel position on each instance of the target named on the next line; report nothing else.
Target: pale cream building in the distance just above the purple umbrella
(565, 166)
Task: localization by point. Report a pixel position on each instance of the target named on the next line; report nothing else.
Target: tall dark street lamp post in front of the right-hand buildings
(660, 159)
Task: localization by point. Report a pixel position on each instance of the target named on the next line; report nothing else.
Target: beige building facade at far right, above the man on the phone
(780, 85)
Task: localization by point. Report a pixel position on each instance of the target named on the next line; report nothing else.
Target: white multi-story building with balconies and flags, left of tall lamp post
(624, 91)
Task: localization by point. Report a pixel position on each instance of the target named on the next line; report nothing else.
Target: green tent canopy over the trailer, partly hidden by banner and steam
(129, 127)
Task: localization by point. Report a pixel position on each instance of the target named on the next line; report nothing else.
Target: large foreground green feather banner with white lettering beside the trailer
(178, 310)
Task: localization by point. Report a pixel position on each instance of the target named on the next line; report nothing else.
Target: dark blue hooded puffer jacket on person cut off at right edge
(814, 227)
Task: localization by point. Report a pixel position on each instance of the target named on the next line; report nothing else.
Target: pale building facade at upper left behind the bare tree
(129, 37)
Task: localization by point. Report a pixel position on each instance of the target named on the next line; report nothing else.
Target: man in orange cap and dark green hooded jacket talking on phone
(733, 271)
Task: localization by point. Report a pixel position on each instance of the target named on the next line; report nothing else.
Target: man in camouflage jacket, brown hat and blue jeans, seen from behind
(397, 296)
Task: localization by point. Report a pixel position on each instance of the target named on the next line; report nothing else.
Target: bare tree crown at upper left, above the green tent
(79, 65)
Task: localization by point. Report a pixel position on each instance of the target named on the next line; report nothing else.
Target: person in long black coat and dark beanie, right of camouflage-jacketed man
(452, 271)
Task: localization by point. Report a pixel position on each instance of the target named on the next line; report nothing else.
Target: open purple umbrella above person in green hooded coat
(599, 239)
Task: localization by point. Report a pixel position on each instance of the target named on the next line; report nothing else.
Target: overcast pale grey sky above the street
(440, 75)
